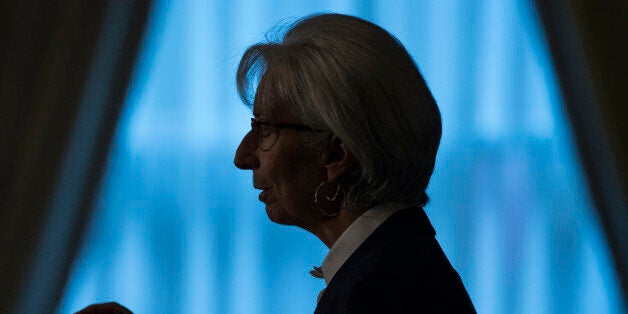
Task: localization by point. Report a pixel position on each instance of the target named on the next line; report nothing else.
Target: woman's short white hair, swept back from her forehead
(349, 76)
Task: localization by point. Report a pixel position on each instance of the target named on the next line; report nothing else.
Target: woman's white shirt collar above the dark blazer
(354, 236)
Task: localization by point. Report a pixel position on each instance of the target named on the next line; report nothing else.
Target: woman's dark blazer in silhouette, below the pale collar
(400, 268)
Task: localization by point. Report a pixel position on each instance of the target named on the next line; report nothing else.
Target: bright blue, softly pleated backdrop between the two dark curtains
(178, 229)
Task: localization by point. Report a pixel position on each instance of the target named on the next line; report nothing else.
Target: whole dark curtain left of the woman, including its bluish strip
(64, 70)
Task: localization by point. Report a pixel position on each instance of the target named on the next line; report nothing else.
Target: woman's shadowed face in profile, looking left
(287, 173)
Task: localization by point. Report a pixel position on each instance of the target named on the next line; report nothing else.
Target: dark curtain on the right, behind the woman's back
(588, 41)
